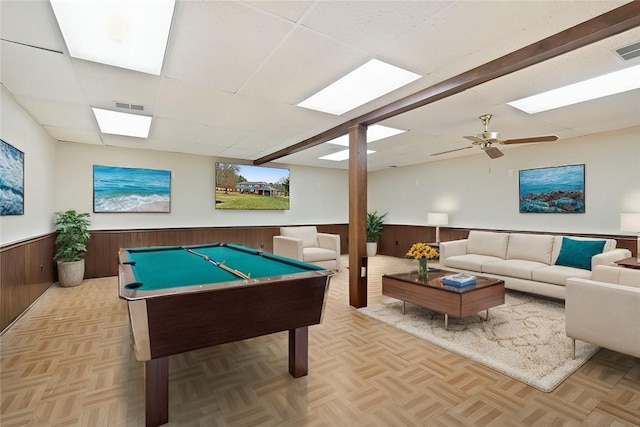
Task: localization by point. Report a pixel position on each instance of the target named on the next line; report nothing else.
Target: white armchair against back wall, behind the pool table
(306, 244)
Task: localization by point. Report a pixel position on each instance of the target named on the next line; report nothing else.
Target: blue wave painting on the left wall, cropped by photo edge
(11, 180)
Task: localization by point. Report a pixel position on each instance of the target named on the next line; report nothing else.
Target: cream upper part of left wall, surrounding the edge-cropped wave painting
(20, 130)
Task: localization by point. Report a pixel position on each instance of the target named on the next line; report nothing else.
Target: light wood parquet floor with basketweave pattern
(68, 362)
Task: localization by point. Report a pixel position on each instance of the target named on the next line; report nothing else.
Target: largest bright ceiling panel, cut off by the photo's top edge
(121, 33)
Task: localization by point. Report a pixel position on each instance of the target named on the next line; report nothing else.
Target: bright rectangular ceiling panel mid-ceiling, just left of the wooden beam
(364, 84)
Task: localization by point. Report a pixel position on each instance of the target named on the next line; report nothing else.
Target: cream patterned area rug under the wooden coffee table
(524, 338)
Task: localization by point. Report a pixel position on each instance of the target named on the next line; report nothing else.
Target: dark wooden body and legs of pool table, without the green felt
(180, 320)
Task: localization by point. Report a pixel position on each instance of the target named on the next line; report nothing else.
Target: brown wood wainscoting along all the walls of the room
(28, 269)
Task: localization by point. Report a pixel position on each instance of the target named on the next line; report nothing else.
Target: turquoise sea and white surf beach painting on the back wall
(117, 189)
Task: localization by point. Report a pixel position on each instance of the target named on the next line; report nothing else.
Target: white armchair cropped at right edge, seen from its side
(605, 310)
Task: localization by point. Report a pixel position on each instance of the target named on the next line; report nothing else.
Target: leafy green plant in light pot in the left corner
(71, 243)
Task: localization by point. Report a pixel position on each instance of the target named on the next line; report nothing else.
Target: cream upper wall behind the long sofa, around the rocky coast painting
(479, 192)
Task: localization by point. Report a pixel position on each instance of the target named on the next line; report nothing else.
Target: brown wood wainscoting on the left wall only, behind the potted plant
(28, 269)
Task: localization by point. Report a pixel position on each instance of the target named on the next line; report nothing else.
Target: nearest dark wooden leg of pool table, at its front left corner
(156, 372)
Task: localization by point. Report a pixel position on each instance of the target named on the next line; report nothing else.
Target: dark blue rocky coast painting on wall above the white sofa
(558, 189)
